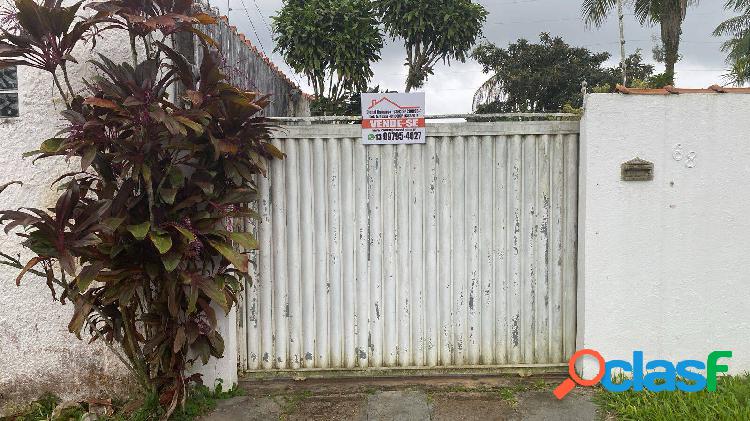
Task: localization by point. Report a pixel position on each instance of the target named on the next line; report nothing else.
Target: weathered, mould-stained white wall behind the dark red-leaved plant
(37, 354)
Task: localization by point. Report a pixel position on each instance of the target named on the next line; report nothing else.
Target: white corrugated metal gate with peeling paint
(460, 252)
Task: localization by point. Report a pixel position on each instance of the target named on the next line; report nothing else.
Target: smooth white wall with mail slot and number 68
(663, 264)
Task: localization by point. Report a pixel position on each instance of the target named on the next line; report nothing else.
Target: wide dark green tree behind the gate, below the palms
(544, 77)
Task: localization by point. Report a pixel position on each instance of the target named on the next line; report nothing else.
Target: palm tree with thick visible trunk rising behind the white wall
(669, 14)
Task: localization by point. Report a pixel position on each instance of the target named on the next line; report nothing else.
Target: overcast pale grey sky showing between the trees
(451, 89)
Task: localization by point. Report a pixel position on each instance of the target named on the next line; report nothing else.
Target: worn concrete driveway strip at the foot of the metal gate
(405, 399)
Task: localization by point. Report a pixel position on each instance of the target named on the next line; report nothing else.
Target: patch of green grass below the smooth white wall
(731, 401)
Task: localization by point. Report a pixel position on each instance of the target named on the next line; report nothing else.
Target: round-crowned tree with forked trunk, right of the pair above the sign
(432, 30)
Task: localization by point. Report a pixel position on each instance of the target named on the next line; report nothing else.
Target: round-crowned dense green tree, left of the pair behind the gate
(331, 42)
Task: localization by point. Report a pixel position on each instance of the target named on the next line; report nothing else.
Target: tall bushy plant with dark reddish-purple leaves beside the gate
(137, 239)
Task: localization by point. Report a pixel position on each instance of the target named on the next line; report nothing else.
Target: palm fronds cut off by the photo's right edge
(738, 46)
